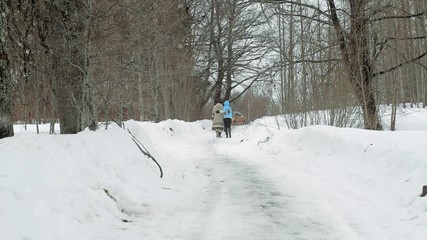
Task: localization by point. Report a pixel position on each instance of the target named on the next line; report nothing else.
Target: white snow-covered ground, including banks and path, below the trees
(317, 182)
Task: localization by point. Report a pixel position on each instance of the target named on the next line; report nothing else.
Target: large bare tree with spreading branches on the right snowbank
(359, 52)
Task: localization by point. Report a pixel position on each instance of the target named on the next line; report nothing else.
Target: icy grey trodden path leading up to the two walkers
(242, 202)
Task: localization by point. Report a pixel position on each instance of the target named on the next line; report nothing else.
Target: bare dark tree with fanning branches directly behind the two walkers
(230, 47)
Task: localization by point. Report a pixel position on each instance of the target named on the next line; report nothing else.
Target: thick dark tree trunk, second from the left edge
(67, 40)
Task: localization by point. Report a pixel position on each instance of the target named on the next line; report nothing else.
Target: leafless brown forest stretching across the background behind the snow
(82, 62)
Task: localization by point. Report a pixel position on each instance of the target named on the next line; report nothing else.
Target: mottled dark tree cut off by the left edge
(17, 64)
